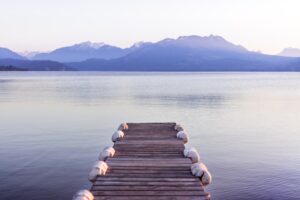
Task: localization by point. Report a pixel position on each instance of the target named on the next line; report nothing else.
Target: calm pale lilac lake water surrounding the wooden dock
(246, 127)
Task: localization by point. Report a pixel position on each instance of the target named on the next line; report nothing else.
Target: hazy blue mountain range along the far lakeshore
(186, 53)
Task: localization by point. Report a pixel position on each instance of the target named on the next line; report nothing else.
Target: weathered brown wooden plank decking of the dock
(149, 164)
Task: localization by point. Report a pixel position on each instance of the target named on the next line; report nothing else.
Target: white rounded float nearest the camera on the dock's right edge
(201, 171)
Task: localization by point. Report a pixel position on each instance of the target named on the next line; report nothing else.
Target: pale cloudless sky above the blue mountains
(43, 25)
